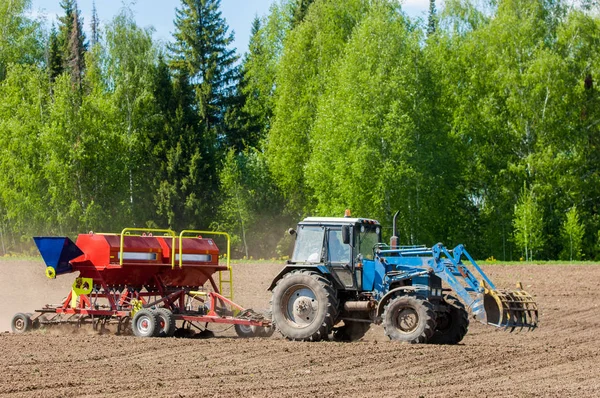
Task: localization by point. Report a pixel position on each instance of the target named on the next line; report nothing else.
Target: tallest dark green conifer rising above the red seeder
(205, 75)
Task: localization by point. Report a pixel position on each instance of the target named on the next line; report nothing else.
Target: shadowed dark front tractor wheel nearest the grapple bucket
(451, 325)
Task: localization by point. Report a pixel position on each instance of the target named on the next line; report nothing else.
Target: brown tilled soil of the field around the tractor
(560, 359)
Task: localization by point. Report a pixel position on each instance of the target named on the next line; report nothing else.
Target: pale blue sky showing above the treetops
(161, 13)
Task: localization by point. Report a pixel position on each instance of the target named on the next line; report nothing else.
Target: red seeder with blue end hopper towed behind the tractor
(150, 280)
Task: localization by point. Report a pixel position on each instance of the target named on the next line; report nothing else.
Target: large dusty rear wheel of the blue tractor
(304, 306)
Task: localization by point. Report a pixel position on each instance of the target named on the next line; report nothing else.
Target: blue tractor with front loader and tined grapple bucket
(342, 278)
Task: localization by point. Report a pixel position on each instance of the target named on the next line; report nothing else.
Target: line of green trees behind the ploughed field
(480, 123)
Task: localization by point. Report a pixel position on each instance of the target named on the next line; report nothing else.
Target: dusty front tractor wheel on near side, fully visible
(409, 319)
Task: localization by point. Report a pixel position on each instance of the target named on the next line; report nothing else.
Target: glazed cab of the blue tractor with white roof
(338, 244)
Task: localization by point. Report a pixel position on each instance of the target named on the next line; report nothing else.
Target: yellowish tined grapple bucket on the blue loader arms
(511, 309)
